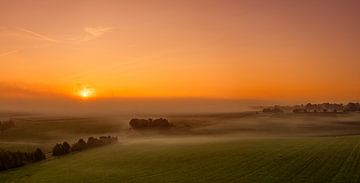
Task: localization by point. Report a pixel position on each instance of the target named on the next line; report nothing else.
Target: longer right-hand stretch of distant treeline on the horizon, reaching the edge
(327, 107)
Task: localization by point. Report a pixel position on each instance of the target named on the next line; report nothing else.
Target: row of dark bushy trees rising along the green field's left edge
(65, 148)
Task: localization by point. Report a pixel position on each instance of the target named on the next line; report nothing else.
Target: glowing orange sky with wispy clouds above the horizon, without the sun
(261, 49)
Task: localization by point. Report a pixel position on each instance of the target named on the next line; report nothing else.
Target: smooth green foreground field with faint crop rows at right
(322, 159)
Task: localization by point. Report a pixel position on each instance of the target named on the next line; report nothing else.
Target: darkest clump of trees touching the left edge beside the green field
(10, 159)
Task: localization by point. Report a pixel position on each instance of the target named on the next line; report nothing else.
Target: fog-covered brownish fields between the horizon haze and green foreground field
(44, 130)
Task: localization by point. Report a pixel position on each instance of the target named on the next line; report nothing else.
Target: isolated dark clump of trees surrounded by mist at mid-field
(150, 123)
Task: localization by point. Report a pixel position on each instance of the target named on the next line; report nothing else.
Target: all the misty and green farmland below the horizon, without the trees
(237, 147)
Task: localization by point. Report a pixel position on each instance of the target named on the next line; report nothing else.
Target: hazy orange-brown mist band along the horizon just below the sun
(113, 106)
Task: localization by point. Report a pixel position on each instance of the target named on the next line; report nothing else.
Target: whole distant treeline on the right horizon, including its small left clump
(314, 108)
